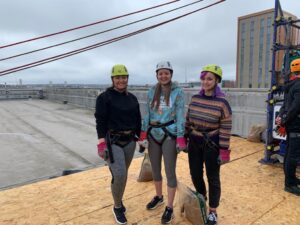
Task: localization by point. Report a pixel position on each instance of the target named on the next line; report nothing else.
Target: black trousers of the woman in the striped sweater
(198, 155)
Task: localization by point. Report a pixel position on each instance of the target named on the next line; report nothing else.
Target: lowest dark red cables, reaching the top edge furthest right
(68, 54)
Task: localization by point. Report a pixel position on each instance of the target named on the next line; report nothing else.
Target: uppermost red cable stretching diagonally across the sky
(91, 24)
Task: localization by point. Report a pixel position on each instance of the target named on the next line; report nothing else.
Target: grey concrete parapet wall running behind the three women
(248, 105)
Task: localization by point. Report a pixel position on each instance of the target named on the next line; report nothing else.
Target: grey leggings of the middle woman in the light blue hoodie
(168, 151)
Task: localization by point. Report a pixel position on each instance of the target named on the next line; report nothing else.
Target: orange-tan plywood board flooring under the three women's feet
(252, 193)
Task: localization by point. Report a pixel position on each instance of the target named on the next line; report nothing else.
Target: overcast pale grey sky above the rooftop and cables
(208, 36)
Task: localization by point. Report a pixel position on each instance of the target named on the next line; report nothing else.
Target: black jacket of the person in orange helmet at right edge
(290, 111)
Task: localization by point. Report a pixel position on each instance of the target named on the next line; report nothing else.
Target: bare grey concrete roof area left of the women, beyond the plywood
(39, 139)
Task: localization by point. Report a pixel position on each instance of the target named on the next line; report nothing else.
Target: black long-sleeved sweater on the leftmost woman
(117, 112)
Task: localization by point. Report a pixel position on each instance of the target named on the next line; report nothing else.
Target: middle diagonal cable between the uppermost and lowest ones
(98, 33)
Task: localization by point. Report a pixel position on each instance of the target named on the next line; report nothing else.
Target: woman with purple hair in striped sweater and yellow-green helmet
(208, 128)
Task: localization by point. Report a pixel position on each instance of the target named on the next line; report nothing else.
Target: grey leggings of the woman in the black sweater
(119, 170)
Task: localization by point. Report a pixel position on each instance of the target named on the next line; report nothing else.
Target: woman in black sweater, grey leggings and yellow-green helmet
(118, 123)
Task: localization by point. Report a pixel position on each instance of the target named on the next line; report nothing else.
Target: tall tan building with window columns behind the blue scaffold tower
(254, 49)
